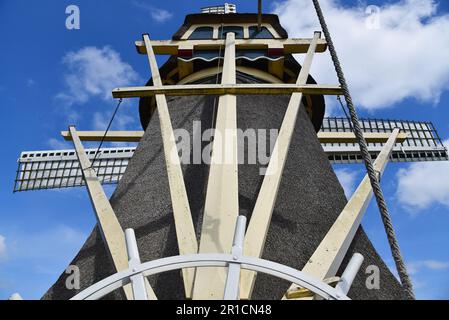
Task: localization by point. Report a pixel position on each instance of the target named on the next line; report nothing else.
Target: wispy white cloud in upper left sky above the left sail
(94, 72)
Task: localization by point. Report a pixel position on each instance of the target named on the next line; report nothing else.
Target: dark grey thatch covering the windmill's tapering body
(310, 199)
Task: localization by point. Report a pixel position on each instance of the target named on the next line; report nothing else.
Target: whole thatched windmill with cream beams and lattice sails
(233, 233)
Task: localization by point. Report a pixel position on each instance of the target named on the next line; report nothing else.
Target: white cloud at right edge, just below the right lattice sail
(423, 184)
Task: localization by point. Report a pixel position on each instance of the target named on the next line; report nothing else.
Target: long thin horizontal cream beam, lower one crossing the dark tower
(222, 89)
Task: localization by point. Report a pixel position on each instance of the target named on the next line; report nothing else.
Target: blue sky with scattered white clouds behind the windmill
(47, 82)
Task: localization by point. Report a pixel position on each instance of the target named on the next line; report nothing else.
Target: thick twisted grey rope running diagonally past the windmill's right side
(402, 271)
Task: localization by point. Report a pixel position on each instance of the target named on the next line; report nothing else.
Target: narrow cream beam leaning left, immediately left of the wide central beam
(185, 231)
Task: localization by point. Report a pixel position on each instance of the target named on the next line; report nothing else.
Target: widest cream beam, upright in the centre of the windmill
(221, 205)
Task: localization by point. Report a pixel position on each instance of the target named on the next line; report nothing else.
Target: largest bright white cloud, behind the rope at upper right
(405, 57)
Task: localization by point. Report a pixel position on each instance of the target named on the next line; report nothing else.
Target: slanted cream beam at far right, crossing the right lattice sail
(327, 258)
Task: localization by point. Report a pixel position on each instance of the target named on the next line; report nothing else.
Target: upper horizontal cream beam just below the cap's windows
(290, 45)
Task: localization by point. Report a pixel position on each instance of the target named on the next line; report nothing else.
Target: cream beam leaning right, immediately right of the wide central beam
(263, 209)
